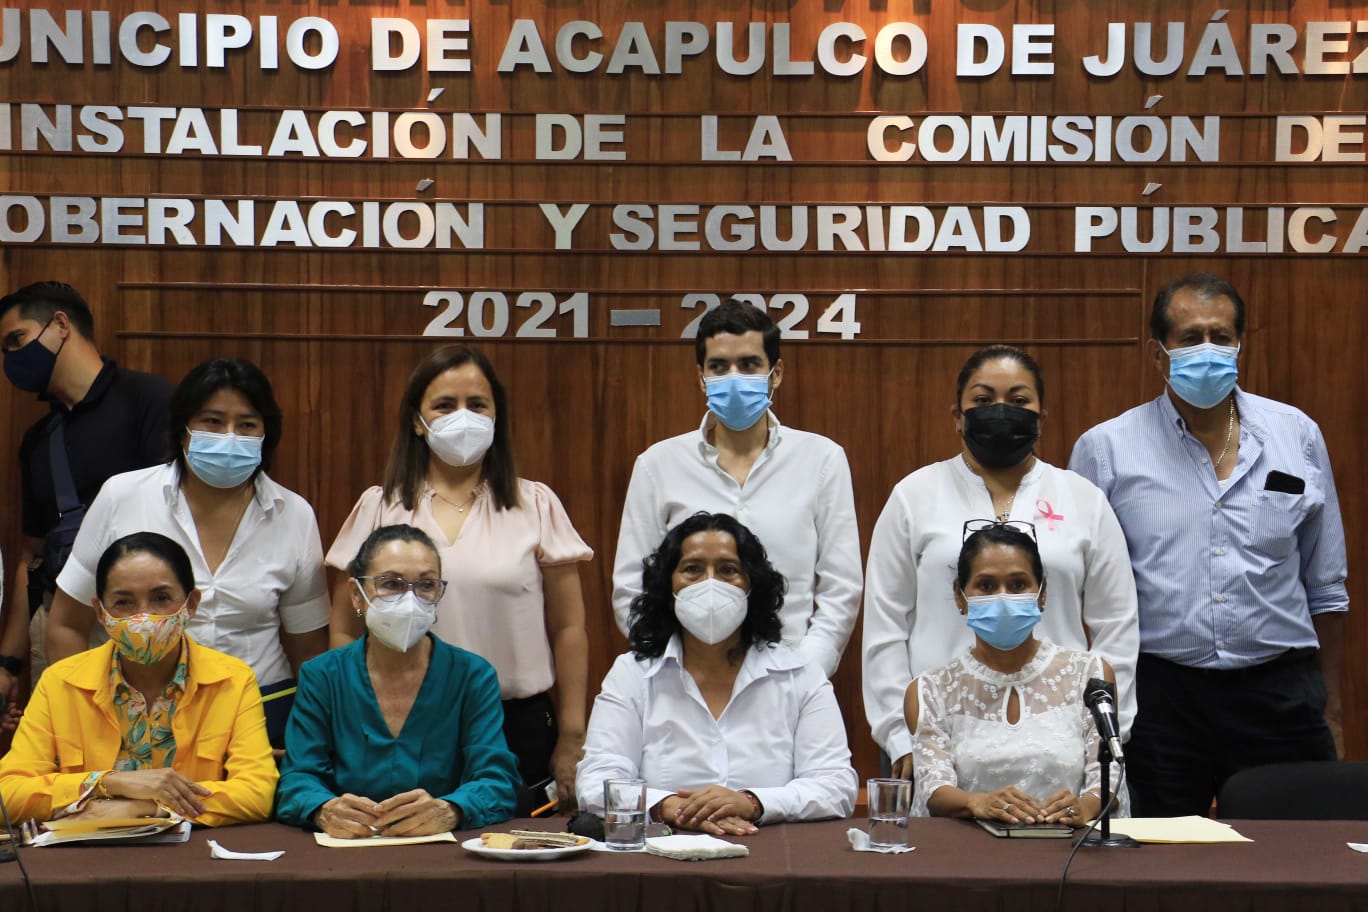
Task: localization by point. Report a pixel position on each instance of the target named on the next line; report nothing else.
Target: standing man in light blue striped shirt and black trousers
(1231, 515)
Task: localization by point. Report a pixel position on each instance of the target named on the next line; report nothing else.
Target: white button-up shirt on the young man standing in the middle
(797, 500)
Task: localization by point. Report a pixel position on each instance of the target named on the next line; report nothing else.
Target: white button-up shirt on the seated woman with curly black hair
(780, 736)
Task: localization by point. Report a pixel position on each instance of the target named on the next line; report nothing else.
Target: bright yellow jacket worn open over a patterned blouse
(70, 729)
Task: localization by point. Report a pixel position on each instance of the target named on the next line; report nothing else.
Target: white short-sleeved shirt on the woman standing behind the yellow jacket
(272, 579)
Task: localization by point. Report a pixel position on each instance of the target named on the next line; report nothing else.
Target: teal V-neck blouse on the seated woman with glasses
(452, 745)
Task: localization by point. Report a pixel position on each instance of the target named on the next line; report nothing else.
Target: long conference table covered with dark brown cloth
(802, 868)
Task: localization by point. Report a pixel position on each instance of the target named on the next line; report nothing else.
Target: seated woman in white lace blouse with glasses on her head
(1002, 732)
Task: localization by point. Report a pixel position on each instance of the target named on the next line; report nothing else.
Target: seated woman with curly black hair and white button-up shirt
(728, 727)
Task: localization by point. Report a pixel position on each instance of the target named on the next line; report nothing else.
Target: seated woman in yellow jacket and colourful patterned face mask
(150, 723)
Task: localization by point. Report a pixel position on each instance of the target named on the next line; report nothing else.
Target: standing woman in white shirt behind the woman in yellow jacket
(254, 545)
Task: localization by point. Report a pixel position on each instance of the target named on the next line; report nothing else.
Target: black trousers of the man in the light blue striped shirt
(1195, 728)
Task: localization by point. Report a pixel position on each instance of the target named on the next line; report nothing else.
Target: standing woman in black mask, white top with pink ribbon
(910, 621)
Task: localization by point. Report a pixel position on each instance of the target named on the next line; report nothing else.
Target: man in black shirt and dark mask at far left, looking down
(113, 420)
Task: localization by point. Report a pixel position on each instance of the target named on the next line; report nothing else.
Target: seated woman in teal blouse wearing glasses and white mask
(397, 734)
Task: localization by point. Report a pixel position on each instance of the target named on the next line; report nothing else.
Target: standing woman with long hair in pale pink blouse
(511, 554)
